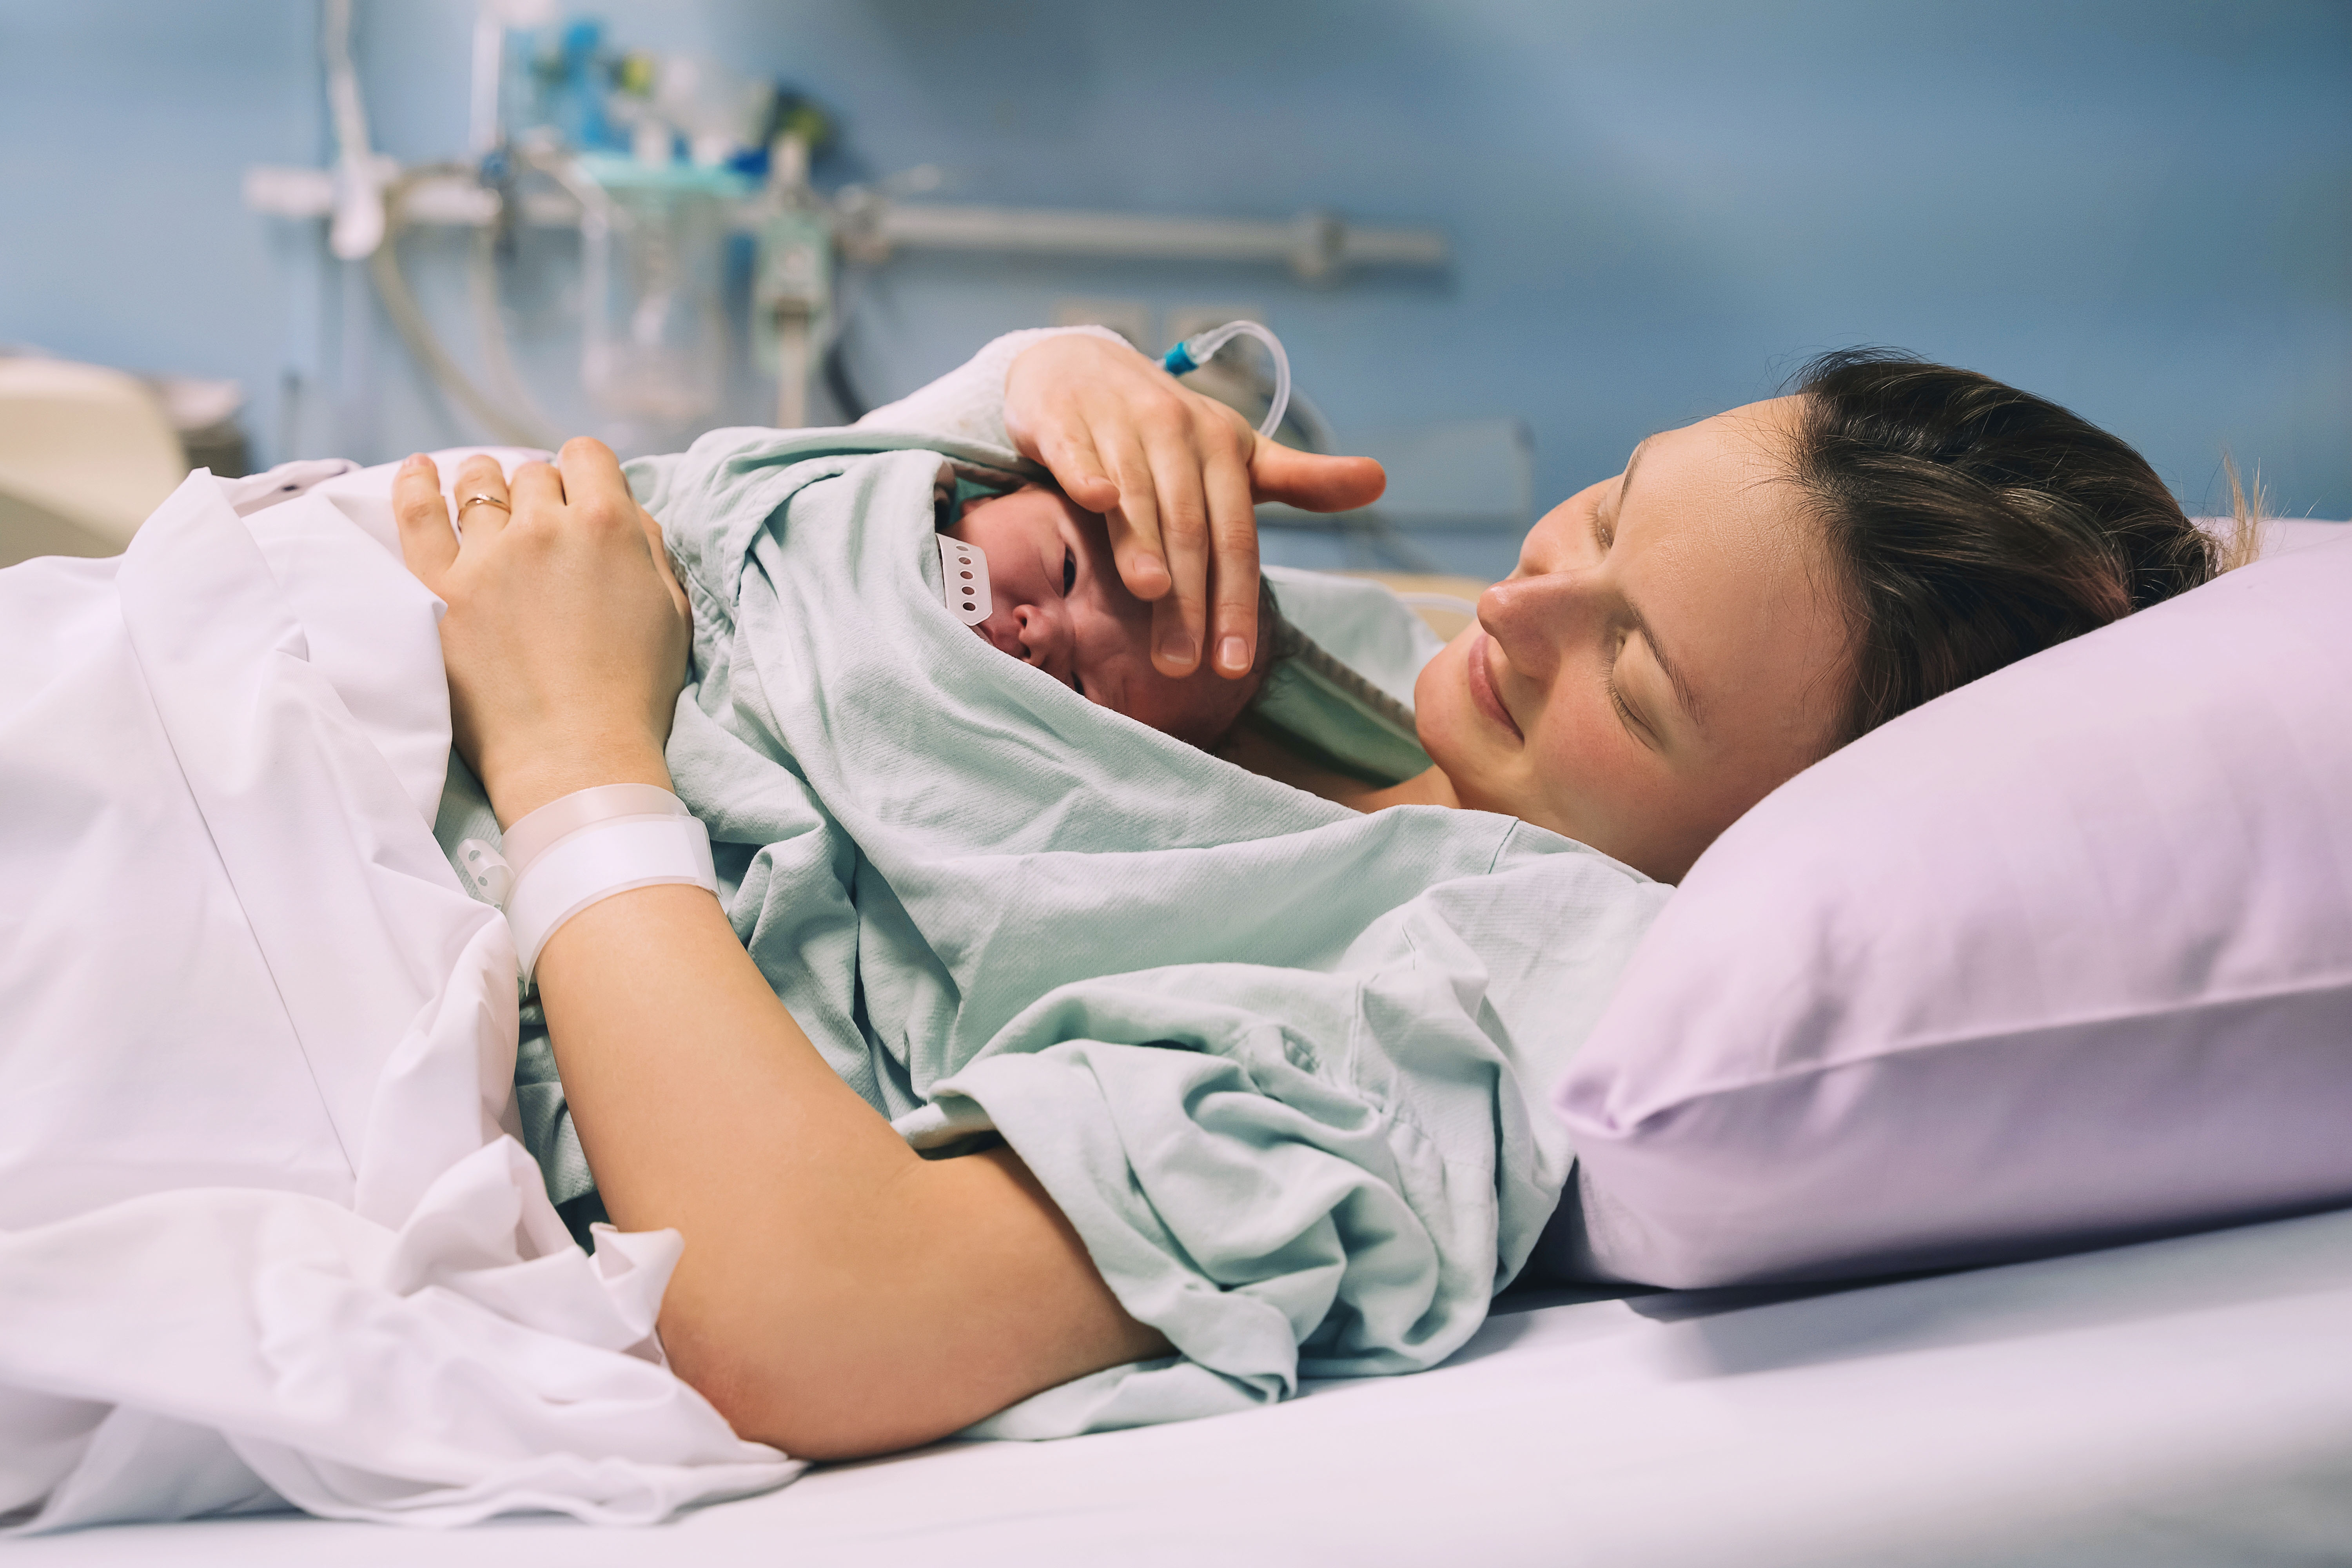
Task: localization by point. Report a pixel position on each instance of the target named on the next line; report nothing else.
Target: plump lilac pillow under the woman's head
(2057, 960)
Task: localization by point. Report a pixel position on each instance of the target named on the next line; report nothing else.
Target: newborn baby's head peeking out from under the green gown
(1060, 605)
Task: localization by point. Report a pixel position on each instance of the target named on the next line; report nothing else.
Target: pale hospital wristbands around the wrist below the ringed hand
(582, 850)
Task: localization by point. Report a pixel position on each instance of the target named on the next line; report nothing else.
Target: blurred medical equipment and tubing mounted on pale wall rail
(662, 163)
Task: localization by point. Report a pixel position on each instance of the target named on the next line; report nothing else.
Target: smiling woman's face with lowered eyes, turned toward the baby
(1669, 652)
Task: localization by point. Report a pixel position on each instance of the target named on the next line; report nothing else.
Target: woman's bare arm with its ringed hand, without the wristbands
(838, 1294)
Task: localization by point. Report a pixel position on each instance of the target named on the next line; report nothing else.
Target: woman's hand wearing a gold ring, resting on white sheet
(566, 634)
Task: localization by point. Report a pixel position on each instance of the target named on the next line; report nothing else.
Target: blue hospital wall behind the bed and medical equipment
(2139, 208)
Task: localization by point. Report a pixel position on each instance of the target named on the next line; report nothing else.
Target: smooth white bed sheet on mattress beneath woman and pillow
(2184, 1402)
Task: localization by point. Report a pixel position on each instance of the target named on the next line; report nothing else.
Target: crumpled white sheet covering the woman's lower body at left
(265, 1235)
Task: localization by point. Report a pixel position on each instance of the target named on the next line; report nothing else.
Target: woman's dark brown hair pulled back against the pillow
(1975, 523)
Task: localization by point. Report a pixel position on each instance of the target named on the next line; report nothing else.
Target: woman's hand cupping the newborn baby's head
(1177, 476)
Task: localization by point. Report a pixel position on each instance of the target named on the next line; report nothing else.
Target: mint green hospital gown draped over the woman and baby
(1281, 1064)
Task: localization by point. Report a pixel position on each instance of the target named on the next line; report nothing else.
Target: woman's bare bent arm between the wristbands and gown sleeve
(838, 1294)
